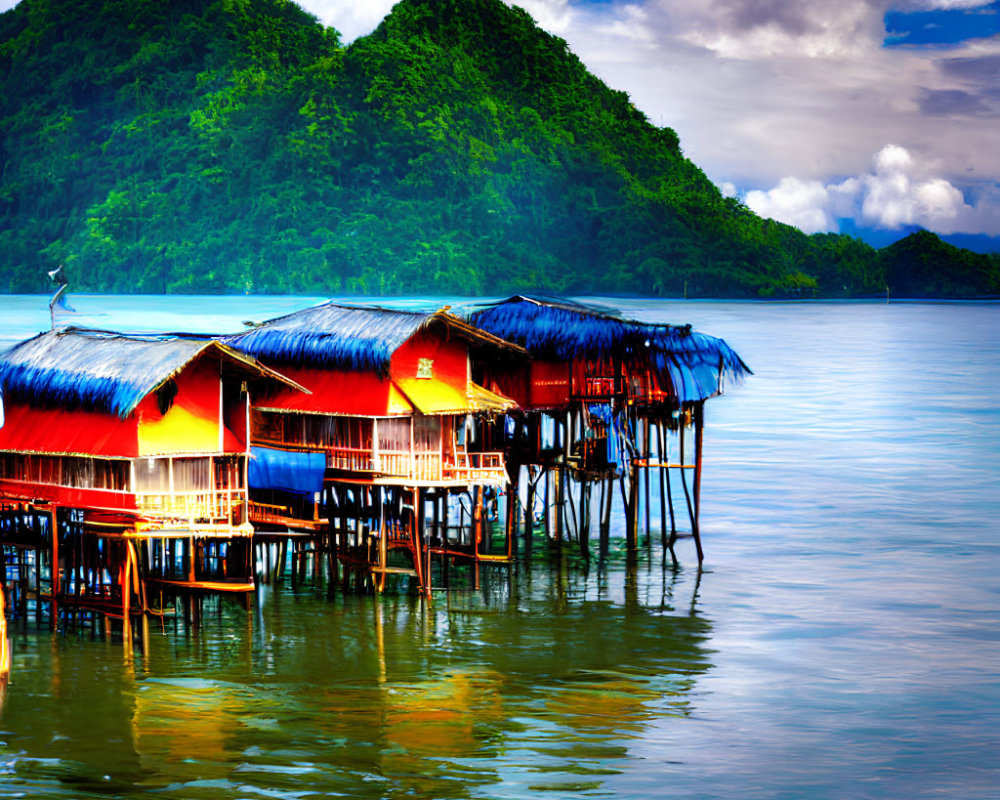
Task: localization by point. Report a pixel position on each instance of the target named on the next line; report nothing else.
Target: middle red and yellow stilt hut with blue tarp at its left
(384, 454)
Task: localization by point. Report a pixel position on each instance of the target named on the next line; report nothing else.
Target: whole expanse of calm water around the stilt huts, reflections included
(842, 642)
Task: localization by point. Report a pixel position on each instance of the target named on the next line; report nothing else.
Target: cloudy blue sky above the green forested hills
(857, 115)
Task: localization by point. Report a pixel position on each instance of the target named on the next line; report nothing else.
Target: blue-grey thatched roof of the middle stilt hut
(347, 337)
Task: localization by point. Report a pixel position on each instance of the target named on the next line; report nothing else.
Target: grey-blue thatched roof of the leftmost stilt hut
(105, 370)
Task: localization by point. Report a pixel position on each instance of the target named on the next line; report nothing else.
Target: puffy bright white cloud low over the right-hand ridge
(899, 192)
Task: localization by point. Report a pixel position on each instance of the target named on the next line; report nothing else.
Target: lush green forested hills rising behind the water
(236, 146)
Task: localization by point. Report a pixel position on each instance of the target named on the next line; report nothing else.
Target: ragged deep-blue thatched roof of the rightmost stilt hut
(695, 364)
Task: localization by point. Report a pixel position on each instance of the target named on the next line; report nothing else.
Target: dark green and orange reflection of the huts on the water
(540, 680)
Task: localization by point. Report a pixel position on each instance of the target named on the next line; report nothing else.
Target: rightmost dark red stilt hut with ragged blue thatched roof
(602, 395)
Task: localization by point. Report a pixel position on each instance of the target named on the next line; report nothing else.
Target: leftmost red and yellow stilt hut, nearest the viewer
(123, 462)
